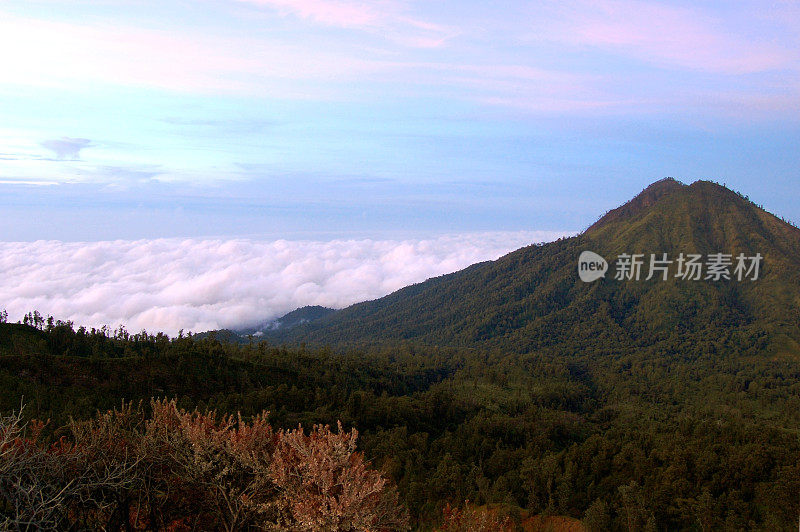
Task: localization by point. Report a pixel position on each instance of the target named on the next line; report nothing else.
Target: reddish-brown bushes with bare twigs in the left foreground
(179, 470)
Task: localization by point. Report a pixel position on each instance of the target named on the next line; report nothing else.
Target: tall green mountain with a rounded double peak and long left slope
(533, 298)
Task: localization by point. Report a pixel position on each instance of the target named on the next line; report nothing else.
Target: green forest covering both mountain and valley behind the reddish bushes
(507, 395)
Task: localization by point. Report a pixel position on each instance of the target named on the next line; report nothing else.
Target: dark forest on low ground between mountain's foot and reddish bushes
(623, 441)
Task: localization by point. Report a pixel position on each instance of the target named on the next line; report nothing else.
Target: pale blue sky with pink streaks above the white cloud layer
(330, 118)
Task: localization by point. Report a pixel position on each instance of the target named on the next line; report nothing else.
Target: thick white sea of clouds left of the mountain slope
(200, 284)
